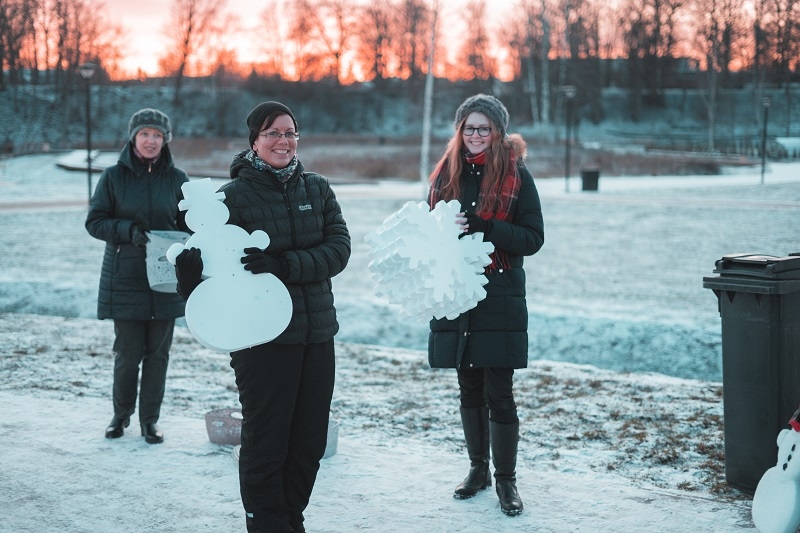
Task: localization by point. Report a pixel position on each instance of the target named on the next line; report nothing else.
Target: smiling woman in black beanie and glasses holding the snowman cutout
(285, 385)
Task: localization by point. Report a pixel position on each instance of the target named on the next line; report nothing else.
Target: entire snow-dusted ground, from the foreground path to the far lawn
(631, 443)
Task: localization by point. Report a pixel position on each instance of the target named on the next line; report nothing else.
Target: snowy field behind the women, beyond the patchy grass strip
(618, 283)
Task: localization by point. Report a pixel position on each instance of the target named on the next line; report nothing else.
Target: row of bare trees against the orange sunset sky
(538, 46)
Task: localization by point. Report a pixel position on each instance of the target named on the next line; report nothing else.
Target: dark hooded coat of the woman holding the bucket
(128, 193)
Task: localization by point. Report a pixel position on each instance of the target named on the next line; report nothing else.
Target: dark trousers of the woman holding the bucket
(145, 343)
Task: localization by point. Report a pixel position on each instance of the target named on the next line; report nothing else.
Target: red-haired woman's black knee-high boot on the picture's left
(475, 421)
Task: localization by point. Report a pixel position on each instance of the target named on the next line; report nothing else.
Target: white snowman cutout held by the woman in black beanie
(232, 308)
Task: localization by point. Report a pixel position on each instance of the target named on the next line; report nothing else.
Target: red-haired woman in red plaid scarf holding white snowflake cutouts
(483, 167)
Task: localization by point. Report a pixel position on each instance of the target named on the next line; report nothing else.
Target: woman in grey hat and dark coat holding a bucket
(138, 194)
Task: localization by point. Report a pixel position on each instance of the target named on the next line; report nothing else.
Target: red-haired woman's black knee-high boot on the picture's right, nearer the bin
(505, 438)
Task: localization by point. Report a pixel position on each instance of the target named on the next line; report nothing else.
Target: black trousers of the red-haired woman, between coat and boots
(494, 387)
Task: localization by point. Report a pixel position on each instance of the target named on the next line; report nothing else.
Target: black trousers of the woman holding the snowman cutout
(285, 392)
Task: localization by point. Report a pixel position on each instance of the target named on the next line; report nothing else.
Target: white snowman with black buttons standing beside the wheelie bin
(776, 503)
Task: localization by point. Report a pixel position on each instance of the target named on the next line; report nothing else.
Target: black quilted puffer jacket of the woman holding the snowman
(305, 225)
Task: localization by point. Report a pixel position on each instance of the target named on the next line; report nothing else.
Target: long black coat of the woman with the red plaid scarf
(495, 333)
